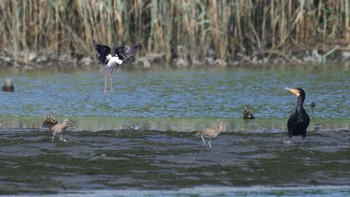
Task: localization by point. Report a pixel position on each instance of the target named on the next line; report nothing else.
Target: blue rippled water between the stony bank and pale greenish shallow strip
(186, 94)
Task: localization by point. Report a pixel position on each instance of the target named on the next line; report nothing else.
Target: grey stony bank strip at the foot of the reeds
(44, 61)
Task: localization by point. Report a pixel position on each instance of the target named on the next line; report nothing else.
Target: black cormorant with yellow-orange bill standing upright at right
(299, 120)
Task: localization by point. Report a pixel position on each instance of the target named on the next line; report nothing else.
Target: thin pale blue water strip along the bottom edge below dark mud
(222, 191)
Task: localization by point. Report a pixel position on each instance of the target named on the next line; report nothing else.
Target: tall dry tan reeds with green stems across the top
(188, 29)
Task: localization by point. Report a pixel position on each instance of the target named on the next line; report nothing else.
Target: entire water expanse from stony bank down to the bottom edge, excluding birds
(138, 139)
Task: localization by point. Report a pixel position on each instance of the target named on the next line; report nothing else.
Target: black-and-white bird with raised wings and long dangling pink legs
(121, 54)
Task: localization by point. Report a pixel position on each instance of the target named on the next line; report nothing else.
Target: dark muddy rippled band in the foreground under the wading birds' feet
(129, 159)
